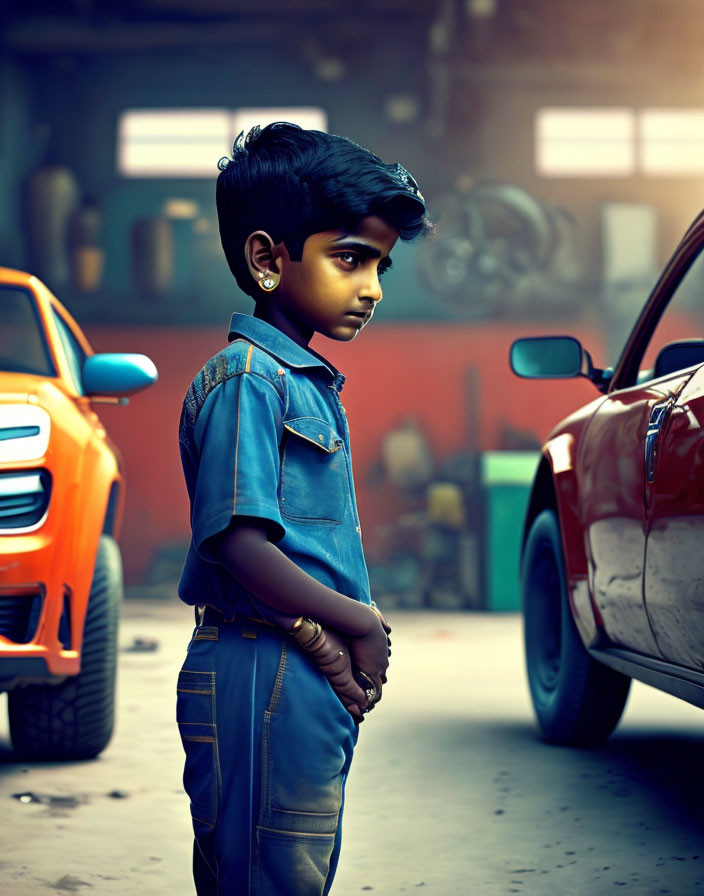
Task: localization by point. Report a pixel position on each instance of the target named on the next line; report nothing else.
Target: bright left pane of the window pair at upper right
(585, 142)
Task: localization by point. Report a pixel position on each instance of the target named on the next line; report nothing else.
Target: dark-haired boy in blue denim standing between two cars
(268, 697)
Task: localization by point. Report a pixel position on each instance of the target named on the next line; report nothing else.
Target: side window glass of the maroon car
(683, 317)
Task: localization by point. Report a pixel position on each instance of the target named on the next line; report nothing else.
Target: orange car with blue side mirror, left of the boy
(61, 502)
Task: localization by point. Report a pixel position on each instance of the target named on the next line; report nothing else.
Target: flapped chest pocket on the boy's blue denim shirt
(314, 480)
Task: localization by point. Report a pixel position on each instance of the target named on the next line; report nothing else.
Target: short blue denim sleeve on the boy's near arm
(237, 435)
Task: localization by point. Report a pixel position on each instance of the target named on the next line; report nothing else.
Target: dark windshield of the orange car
(23, 347)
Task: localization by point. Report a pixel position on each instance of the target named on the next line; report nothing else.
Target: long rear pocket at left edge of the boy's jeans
(195, 714)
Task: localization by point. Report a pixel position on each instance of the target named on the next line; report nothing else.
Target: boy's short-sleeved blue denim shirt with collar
(263, 433)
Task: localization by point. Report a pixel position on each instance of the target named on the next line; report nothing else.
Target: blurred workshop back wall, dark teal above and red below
(442, 362)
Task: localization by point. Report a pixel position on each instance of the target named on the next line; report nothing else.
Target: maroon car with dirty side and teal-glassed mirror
(613, 555)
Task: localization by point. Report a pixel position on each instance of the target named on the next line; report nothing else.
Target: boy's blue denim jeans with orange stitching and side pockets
(268, 748)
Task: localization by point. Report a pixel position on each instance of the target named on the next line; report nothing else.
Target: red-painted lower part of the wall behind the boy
(393, 371)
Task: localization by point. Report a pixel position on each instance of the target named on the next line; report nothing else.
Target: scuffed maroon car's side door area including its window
(639, 466)
